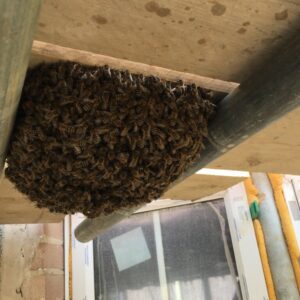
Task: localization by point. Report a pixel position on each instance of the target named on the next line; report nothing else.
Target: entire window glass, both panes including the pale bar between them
(176, 253)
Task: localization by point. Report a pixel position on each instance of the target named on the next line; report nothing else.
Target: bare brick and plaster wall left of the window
(31, 262)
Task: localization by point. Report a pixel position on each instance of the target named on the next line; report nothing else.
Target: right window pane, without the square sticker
(194, 252)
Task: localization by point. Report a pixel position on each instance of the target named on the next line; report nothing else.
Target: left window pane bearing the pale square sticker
(139, 280)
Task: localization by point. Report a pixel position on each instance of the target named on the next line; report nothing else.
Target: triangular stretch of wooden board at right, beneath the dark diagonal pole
(274, 149)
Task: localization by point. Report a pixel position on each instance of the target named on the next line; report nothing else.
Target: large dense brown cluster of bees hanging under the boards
(94, 139)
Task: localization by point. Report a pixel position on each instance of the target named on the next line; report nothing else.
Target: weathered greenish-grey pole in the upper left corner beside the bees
(17, 25)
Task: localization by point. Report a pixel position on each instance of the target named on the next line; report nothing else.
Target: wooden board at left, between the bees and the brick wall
(15, 208)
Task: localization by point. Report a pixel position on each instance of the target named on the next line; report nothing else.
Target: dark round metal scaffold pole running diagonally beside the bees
(269, 93)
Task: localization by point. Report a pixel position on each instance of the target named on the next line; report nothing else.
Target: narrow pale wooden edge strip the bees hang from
(45, 52)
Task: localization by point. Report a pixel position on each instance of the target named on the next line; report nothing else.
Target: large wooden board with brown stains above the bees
(217, 39)
